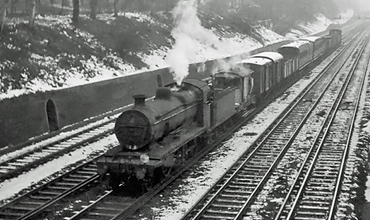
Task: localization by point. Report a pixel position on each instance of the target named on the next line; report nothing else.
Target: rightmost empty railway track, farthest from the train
(315, 190)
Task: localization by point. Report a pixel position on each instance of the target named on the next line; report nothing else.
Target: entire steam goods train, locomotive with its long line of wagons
(160, 134)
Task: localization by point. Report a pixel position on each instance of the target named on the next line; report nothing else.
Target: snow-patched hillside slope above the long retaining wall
(56, 54)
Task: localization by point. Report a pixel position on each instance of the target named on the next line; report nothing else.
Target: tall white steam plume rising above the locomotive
(189, 35)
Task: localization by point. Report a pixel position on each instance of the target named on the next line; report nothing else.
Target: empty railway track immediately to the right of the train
(234, 194)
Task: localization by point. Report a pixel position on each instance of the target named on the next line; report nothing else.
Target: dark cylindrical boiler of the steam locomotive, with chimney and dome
(147, 122)
